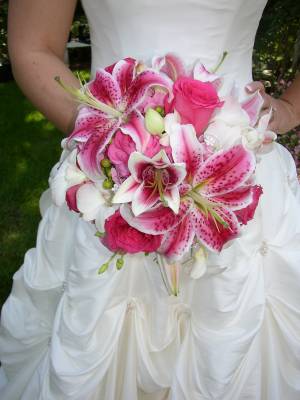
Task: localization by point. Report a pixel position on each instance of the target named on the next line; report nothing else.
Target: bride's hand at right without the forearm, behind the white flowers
(284, 117)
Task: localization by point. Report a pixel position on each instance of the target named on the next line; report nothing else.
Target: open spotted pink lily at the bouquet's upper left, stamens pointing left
(108, 101)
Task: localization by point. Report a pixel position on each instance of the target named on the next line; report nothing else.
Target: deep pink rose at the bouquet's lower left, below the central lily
(119, 236)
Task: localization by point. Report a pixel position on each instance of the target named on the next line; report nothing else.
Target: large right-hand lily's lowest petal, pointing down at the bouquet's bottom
(179, 240)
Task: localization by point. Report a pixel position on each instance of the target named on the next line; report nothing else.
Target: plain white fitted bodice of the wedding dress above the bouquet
(194, 29)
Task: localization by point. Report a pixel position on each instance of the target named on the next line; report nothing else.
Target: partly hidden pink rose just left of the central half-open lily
(119, 151)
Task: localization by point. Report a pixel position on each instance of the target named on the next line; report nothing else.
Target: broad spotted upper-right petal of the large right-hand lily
(225, 171)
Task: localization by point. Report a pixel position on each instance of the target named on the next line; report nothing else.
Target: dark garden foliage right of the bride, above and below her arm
(276, 57)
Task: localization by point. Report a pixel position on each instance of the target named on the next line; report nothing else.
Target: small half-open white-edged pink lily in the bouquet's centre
(152, 180)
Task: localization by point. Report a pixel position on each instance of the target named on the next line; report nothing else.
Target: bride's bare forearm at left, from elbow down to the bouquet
(35, 72)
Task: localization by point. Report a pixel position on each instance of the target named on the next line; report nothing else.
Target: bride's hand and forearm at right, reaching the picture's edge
(286, 108)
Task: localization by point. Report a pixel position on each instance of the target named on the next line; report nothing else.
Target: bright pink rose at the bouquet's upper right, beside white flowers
(195, 101)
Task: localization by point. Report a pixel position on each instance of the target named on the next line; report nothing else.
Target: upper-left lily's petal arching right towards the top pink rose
(140, 85)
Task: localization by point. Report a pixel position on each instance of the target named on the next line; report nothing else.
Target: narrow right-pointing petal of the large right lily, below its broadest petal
(235, 200)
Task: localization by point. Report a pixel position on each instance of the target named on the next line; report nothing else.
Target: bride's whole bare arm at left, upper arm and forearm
(37, 34)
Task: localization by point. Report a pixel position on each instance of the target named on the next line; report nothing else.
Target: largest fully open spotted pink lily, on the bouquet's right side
(215, 187)
